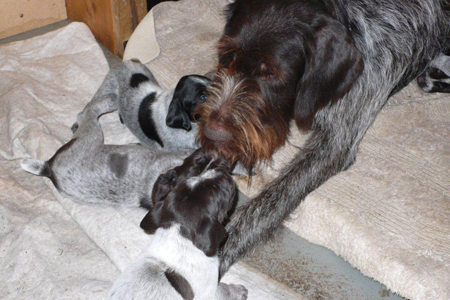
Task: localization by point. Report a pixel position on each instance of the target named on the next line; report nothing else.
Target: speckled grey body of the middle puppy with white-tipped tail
(88, 171)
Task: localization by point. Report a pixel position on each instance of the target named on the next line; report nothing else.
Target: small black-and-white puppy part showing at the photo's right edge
(436, 79)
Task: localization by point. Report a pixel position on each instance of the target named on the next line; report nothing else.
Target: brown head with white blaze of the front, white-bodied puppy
(199, 205)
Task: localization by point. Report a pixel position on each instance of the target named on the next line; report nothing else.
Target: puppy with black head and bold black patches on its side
(158, 118)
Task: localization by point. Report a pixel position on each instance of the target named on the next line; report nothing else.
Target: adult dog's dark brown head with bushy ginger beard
(278, 60)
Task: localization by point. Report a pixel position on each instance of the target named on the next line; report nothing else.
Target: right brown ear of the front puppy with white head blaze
(208, 236)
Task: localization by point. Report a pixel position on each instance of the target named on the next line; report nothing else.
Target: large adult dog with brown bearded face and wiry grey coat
(330, 65)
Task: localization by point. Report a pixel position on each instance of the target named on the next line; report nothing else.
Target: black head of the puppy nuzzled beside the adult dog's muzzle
(189, 93)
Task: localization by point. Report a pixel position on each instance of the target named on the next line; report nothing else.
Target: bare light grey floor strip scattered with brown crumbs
(312, 270)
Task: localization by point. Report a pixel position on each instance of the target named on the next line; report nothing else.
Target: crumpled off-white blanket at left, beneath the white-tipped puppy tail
(44, 253)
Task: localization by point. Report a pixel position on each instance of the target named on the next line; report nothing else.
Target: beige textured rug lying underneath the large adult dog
(389, 214)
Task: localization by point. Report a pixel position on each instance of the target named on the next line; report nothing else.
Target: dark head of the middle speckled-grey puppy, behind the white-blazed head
(193, 165)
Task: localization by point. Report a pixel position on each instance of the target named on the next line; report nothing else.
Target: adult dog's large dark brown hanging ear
(332, 66)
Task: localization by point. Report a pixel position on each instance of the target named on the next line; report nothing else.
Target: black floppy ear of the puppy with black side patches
(177, 116)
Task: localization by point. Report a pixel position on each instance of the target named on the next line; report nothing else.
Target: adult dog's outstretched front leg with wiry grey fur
(324, 155)
